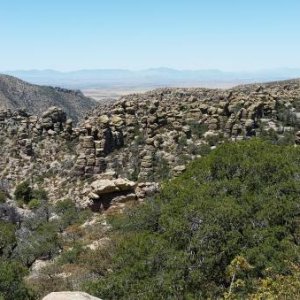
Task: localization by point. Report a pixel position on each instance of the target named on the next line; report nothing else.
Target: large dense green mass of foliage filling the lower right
(230, 222)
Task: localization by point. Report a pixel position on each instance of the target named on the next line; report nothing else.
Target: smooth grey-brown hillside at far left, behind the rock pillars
(17, 94)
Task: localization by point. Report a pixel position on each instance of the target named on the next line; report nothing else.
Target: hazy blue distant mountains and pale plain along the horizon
(150, 78)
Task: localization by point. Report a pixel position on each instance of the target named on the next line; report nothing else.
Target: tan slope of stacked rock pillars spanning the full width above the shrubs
(122, 150)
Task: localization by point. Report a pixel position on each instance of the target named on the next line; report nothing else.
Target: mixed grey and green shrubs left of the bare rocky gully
(37, 236)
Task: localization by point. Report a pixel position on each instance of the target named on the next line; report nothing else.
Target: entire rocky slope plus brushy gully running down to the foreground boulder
(115, 158)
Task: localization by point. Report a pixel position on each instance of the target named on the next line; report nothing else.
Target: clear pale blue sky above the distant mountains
(229, 35)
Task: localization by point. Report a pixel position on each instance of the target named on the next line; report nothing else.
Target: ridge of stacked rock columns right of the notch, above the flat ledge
(167, 127)
